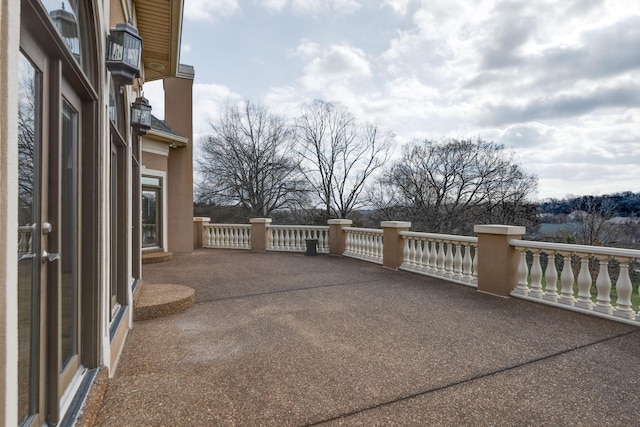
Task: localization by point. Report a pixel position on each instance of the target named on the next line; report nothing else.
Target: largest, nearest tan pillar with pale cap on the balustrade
(497, 259)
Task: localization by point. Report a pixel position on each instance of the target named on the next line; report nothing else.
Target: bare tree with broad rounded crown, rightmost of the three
(451, 185)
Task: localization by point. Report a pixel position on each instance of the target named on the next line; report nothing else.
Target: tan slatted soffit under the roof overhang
(159, 23)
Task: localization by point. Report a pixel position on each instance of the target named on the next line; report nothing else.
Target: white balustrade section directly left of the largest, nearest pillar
(449, 257)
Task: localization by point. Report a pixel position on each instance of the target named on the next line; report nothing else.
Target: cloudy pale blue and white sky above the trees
(556, 81)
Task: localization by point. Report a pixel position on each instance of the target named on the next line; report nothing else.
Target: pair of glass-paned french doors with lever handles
(50, 310)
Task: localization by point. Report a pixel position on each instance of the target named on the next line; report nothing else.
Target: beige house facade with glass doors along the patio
(72, 180)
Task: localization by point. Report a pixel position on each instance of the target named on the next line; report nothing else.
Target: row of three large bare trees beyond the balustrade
(326, 164)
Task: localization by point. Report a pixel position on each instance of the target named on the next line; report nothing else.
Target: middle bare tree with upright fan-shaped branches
(340, 155)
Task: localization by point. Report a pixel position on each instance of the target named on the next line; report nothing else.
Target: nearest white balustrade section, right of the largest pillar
(581, 293)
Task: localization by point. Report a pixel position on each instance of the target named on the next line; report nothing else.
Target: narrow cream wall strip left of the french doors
(9, 45)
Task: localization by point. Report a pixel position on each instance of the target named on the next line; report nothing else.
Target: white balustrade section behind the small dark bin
(292, 238)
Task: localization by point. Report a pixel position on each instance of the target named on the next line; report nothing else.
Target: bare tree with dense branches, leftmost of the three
(248, 161)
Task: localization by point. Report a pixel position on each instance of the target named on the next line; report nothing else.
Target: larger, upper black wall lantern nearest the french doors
(124, 49)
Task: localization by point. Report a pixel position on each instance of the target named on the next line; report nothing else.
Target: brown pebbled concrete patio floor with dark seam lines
(278, 339)
